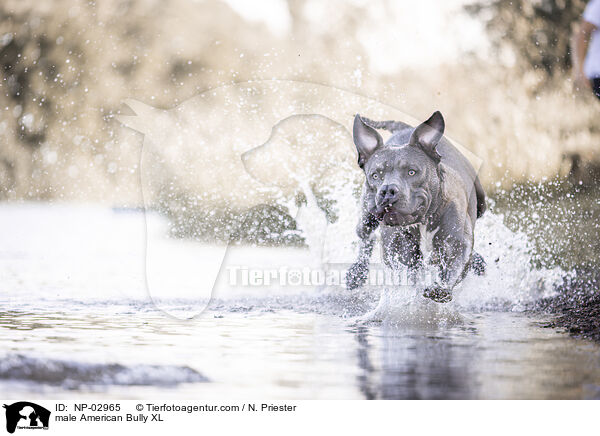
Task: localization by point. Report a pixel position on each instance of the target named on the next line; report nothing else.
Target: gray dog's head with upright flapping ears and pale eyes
(403, 178)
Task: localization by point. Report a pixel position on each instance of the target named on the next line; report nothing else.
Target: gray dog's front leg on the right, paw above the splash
(453, 250)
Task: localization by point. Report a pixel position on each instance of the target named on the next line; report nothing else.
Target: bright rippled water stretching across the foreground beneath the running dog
(77, 321)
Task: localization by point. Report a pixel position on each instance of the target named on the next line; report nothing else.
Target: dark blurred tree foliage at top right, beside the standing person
(537, 31)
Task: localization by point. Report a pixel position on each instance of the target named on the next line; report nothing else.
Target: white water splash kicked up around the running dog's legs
(511, 282)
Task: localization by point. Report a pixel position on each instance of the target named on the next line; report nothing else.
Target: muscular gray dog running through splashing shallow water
(422, 191)
